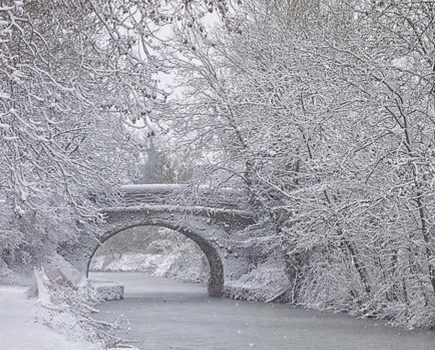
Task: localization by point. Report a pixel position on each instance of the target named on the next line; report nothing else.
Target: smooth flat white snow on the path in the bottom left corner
(22, 327)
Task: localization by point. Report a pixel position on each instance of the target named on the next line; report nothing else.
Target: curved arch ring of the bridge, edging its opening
(216, 278)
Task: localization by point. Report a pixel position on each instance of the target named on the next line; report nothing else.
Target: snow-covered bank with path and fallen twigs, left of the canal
(53, 305)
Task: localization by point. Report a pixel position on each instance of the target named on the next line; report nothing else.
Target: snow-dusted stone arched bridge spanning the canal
(209, 218)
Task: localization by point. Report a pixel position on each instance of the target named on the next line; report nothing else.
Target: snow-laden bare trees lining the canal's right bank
(324, 112)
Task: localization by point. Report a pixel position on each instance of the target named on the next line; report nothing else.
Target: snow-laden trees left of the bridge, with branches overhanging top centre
(73, 74)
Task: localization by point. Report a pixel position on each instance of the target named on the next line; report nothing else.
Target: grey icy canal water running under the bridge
(164, 314)
